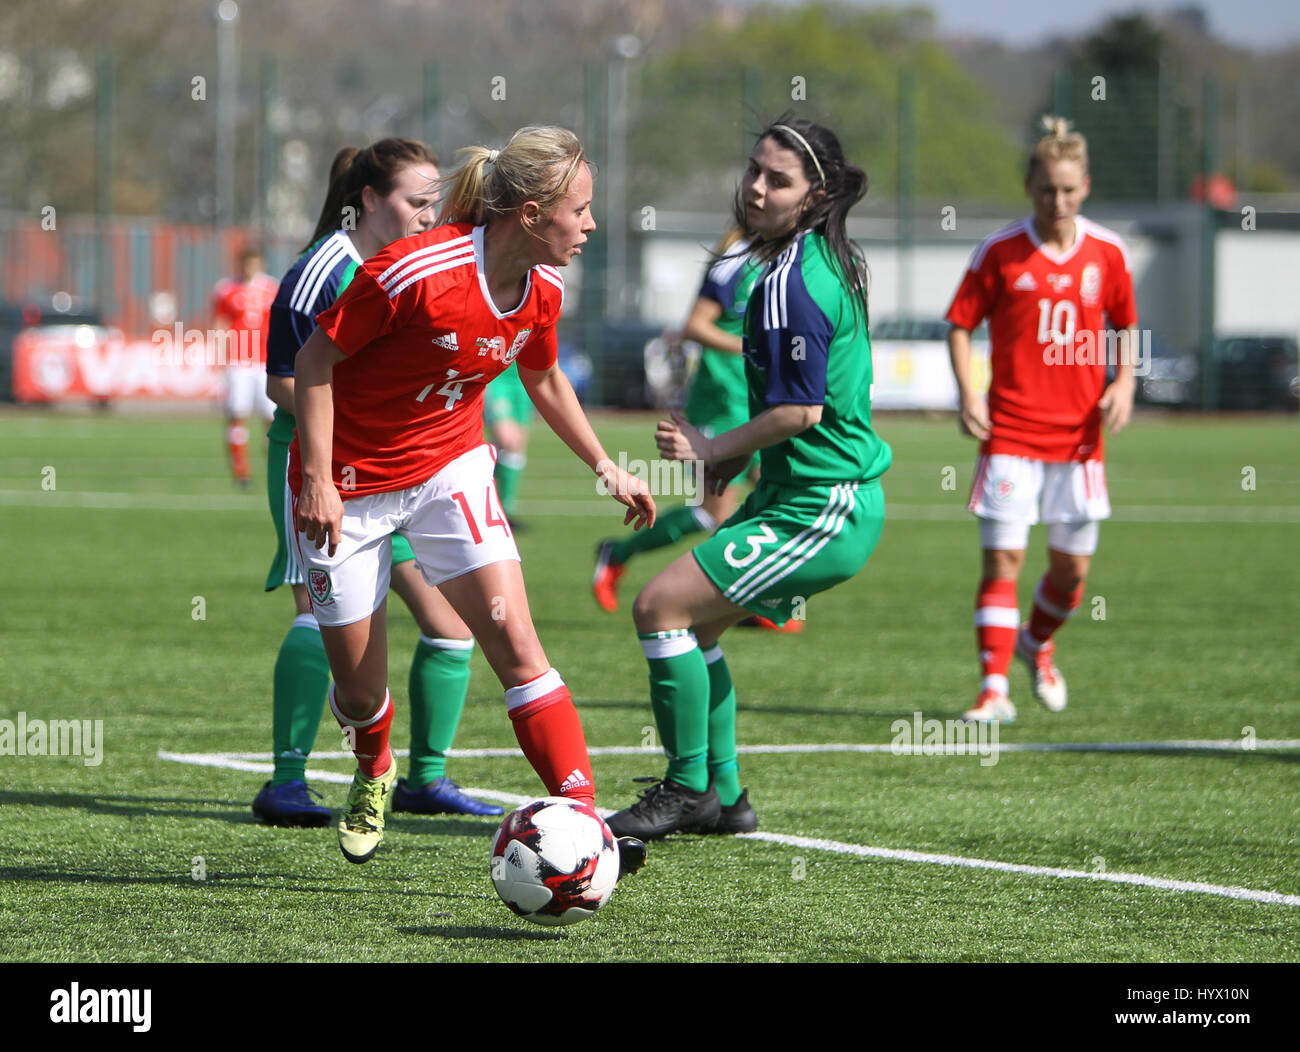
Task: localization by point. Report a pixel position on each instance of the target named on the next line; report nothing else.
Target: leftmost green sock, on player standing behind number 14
(298, 699)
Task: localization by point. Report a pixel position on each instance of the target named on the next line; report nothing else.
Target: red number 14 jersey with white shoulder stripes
(423, 339)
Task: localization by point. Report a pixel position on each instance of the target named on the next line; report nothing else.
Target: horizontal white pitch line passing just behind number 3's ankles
(1227, 744)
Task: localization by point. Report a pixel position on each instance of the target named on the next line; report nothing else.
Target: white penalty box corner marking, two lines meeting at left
(249, 763)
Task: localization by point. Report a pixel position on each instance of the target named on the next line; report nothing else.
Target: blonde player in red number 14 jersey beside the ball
(389, 399)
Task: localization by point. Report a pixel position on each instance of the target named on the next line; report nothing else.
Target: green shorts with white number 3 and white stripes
(786, 544)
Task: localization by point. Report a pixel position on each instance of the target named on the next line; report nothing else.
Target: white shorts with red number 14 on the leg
(454, 523)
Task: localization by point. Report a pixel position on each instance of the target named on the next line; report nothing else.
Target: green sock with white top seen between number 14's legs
(440, 679)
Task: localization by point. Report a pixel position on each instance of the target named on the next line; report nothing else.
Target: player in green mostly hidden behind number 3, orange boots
(718, 402)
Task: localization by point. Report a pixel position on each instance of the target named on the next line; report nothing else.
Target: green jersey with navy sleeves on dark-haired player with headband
(805, 345)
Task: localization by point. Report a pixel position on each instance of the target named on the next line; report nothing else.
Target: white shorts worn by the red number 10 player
(1012, 493)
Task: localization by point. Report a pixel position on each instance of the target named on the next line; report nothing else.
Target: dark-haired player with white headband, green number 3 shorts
(818, 510)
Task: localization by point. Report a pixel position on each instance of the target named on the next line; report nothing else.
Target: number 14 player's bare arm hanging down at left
(320, 510)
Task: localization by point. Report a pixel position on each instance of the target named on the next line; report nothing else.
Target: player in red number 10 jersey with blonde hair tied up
(1059, 296)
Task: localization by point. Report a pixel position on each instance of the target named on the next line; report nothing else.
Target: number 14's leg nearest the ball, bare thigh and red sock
(493, 604)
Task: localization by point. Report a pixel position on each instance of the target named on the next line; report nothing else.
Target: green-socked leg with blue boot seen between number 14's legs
(439, 682)
